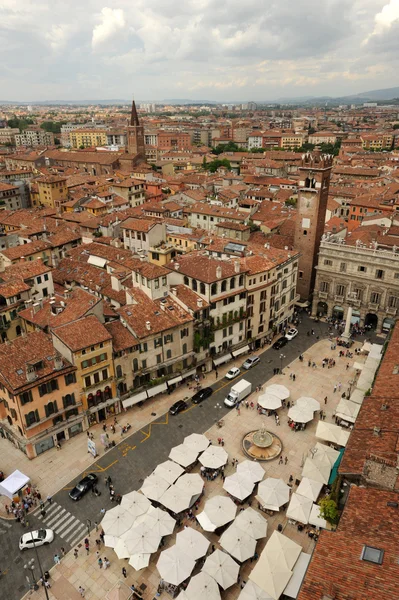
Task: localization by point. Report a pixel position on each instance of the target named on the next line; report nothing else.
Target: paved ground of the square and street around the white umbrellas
(136, 456)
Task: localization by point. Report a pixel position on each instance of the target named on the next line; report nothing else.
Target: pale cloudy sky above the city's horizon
(199, 49)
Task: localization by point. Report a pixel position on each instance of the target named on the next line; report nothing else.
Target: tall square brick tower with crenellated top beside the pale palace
(314, 182)
